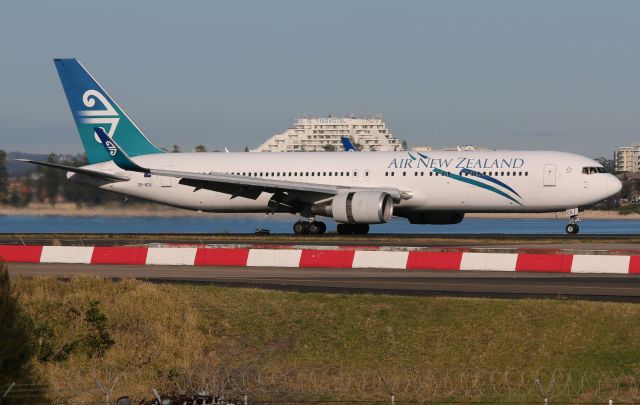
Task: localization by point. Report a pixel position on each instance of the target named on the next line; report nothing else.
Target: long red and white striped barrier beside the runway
(329, 257)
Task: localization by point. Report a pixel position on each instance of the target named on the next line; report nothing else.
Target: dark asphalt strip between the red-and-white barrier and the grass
(485, 284)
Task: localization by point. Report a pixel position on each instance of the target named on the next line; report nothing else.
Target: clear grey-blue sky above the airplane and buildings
(561, 75)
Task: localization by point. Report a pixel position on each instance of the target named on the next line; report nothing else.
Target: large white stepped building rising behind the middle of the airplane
(322, 134)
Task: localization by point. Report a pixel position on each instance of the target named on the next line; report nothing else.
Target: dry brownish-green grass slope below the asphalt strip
(166, 334)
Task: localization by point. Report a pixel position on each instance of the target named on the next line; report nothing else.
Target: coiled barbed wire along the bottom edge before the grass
(414, 384)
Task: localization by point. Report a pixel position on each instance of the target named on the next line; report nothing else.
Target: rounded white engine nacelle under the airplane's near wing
(360, 207)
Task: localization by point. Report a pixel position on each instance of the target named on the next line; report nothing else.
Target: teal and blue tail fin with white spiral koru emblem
(92, 107)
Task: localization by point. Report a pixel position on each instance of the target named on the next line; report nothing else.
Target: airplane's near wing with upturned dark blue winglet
(234, 185)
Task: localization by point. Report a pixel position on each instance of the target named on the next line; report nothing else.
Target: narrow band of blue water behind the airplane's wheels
(283, 224)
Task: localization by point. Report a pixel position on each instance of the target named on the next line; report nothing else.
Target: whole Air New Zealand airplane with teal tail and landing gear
(356, 190)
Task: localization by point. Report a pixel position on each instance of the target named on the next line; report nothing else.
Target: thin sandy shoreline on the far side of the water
(154, 210)
